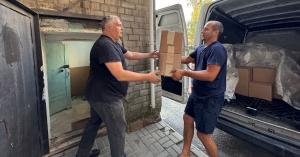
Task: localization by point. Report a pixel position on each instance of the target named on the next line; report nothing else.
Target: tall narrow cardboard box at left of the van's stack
(245, 75)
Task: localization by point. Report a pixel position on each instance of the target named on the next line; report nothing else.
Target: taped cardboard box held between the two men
(170, 51)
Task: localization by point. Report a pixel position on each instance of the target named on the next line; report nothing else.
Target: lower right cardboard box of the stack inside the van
(261, 90)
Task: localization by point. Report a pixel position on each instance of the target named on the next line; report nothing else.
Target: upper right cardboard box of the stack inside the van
(266, 75)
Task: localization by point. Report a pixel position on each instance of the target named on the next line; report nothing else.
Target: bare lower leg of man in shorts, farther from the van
(188, 133)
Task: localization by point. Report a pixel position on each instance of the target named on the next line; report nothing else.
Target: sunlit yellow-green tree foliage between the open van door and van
(192, 25)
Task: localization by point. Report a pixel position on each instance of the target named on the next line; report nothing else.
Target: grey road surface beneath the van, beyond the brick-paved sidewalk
(228, 145)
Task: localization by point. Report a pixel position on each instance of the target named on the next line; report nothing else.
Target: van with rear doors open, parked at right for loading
(273, 125)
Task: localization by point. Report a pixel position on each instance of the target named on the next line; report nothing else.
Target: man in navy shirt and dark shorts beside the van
(209, 85)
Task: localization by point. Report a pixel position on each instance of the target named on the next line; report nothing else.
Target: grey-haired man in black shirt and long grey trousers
(107, 86)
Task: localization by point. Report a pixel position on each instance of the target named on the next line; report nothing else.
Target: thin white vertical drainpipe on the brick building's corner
(151, 23)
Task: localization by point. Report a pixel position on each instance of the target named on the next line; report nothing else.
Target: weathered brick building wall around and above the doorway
(135, 19)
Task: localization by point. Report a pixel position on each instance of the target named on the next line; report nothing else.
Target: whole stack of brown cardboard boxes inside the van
(256, 82)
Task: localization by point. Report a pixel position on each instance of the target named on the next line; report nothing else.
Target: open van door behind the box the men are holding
(172, 19)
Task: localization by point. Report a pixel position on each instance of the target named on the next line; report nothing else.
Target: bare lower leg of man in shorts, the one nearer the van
(209, 144)
